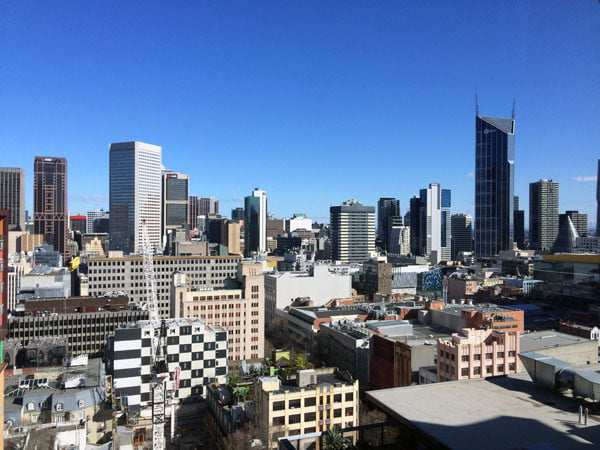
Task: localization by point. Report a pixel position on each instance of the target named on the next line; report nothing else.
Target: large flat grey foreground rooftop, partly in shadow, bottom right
(493, 413)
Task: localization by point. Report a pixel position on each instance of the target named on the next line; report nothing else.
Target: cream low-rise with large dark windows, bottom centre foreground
(317, 400)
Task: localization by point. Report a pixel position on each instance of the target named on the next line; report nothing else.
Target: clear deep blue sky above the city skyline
(315, 102)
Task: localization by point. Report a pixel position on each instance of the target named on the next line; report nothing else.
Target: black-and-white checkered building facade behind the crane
(199, 350)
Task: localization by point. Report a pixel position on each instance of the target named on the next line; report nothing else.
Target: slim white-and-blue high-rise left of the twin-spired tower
(434, 236)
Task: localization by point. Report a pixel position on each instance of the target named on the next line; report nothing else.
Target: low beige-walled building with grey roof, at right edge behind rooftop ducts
(572, 349)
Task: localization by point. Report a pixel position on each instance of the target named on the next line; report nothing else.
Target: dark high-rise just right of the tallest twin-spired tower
(543, 214)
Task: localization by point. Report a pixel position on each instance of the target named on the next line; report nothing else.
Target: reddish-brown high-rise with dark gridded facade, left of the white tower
(50, 201)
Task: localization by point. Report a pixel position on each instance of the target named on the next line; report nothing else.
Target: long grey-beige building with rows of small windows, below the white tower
(118, 273)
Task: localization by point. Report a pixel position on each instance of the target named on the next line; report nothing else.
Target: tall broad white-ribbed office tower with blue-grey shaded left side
(135, 195)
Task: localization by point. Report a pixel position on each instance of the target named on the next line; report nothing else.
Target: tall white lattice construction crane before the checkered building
(160, 370)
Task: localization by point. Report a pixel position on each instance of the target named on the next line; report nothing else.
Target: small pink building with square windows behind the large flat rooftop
(477, 354)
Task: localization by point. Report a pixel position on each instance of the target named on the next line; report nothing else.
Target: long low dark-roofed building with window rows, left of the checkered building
(84, 323)
